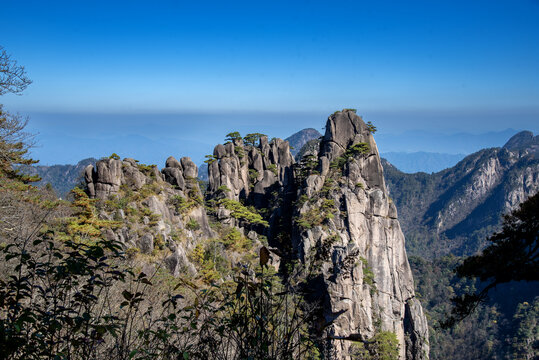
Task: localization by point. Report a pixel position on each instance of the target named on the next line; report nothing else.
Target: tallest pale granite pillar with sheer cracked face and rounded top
(366, 282)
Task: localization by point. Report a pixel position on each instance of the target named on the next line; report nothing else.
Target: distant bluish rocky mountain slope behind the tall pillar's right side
(460, 206)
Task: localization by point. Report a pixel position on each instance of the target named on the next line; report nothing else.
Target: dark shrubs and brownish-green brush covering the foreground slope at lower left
(72, 295)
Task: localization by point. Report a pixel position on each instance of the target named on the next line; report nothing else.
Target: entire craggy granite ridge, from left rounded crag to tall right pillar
(330, 211)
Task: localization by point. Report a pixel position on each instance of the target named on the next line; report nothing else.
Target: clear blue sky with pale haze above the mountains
(184, 73)
